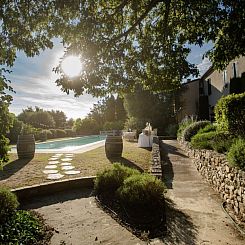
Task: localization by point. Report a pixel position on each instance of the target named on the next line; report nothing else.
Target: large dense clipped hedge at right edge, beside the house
(230, 114)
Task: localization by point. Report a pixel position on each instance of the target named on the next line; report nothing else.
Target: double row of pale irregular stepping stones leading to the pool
(60, 165)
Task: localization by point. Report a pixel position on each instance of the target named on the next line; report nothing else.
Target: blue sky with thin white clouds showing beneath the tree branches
(34, 83)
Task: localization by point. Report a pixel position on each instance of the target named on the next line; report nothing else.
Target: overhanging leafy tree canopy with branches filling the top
(124, 42)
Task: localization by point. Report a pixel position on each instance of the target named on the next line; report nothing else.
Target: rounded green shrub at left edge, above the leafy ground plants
(8, 204)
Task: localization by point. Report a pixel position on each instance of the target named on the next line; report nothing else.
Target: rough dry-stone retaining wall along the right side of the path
(228, 181)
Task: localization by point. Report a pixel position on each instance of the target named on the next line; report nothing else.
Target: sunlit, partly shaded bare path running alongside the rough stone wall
(201, 207)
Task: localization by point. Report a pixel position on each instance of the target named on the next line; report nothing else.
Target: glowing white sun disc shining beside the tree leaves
(71, 66)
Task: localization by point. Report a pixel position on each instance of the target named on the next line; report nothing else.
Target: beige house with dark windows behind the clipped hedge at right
(200, 96)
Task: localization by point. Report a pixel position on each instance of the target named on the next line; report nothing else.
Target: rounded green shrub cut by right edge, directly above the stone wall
(236, 154)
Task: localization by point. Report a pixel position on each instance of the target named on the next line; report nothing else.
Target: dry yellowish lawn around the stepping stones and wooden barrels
(18, 173)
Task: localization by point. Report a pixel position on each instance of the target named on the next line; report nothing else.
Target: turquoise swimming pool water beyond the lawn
(70, 143)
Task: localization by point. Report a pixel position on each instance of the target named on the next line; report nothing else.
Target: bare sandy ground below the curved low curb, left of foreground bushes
(77, 220)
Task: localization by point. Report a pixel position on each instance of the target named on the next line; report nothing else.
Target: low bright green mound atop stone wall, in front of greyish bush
(203, 140)
